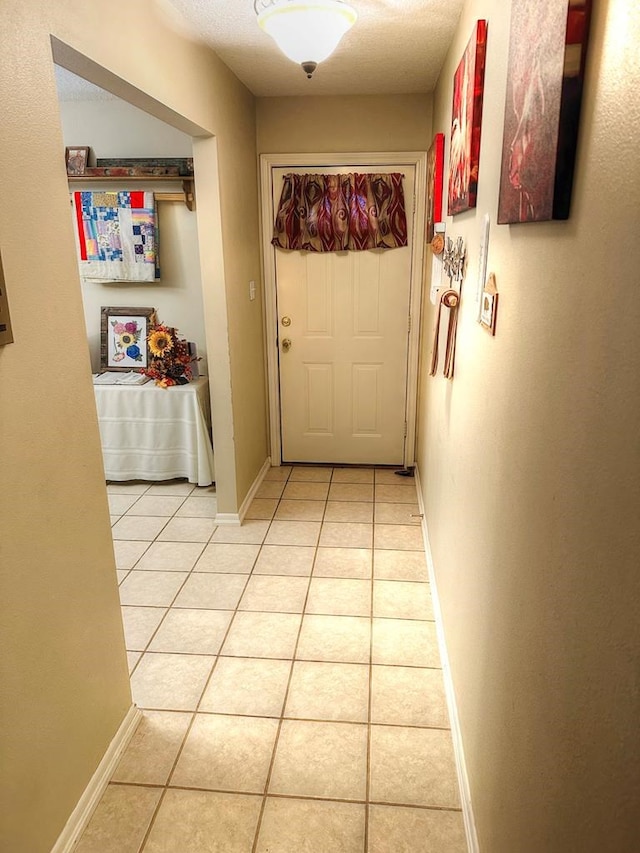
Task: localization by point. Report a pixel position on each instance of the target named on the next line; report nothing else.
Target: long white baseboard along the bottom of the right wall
(461, 767)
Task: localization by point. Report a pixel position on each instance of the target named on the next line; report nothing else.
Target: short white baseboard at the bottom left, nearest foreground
(90, 798)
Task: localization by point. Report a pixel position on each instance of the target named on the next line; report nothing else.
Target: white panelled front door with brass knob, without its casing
(343, 326)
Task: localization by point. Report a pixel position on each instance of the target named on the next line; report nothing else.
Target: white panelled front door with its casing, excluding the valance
(332, 396)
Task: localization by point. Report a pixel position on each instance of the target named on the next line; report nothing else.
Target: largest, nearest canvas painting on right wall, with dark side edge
(545, 78)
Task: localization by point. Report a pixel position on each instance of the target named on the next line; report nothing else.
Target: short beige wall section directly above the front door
(358, 123)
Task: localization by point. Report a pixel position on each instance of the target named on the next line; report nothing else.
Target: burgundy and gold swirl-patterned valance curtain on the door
(336, 213)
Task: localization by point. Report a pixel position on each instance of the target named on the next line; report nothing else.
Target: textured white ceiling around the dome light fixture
(395, 47)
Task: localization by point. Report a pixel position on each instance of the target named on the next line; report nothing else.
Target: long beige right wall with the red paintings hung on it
(529, 469)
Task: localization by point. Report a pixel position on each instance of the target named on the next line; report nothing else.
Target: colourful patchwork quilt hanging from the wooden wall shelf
(117, 235)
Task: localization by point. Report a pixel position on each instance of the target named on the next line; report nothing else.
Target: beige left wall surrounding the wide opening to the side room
(64, 674)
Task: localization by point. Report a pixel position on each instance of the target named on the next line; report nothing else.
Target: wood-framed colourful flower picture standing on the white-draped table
(123, 337)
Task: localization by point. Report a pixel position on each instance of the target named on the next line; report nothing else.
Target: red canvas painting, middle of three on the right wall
(466, 123)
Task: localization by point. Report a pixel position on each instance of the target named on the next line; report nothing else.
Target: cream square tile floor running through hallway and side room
(288, 672)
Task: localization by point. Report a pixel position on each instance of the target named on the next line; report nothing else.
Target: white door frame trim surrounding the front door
(390, 160)
